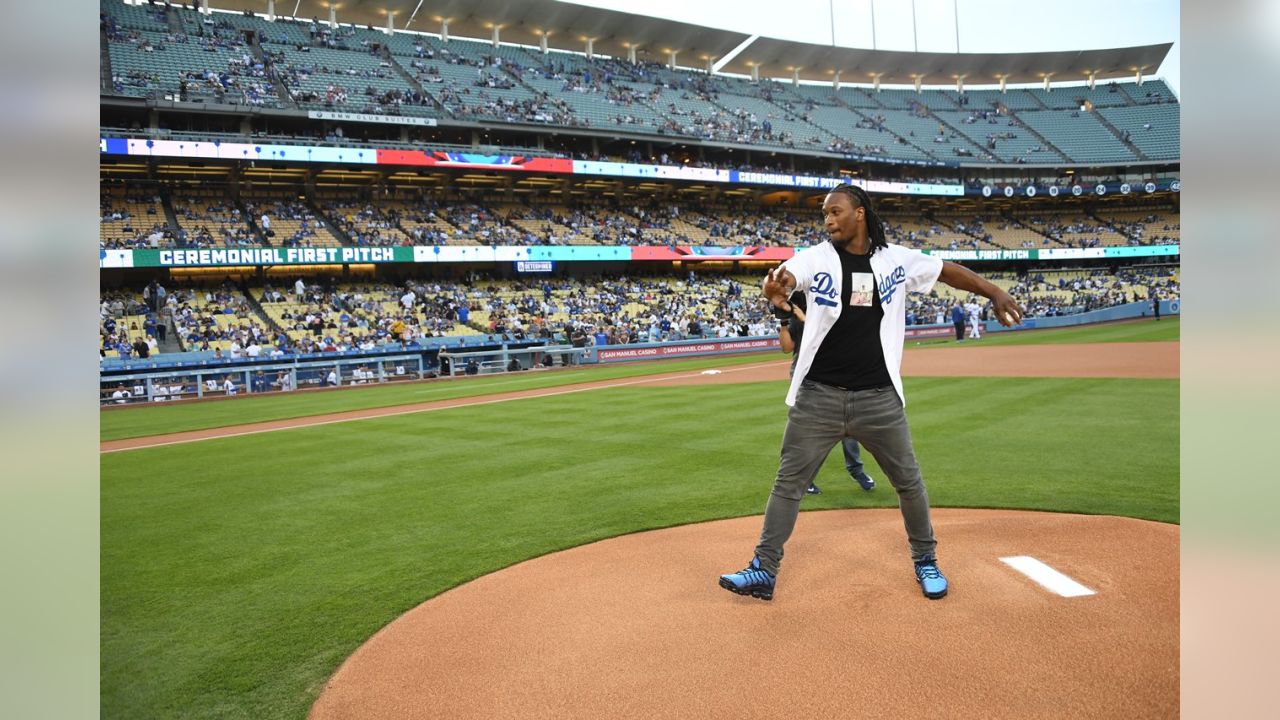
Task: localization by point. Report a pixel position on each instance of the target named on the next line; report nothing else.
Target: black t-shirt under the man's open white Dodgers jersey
(851, 357)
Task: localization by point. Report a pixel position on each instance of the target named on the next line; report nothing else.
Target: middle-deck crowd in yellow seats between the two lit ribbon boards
(368, 220)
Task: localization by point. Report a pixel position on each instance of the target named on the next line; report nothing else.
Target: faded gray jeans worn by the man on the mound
(822, 417)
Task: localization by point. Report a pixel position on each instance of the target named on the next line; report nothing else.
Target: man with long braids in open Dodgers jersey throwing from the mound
(847, 381)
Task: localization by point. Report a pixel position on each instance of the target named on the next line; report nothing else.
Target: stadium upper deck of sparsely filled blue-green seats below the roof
(291, 67)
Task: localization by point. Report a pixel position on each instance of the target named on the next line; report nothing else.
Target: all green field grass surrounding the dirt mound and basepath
(239, 573)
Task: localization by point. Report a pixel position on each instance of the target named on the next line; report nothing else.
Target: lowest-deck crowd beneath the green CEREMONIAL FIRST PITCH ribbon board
(327, 316)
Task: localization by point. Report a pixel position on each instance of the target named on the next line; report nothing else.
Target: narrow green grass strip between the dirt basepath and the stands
(154, 420)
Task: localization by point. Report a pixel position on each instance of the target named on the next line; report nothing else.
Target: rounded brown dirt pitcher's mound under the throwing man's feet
(637, 627)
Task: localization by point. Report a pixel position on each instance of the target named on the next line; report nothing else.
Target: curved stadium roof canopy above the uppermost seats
(569, 26)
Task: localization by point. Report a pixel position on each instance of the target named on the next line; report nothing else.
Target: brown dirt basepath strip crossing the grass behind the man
(1113, 361)
